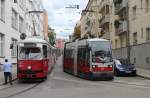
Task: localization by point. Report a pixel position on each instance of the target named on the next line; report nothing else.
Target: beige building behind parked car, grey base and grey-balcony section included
(133, 30)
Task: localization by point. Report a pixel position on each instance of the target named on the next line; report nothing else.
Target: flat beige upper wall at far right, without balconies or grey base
(139, 11)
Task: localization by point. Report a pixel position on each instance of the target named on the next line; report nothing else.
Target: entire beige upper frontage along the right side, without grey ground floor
(102, 22)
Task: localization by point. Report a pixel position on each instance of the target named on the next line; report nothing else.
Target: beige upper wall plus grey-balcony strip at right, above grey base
(139, 26)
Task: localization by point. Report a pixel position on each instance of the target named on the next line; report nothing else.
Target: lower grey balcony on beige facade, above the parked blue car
(122, 28)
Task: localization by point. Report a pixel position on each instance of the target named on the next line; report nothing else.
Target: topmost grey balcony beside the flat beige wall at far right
(121, 6)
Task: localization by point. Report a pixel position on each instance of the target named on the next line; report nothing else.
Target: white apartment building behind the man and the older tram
(15, 20)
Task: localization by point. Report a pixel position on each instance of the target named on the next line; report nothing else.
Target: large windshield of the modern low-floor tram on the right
(101, 52)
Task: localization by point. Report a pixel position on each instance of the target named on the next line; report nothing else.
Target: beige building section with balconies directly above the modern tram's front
(106, 22)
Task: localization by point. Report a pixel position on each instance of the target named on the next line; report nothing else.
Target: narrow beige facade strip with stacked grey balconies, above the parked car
(119, 40)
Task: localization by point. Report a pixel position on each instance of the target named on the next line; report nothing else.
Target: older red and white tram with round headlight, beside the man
(35, 57)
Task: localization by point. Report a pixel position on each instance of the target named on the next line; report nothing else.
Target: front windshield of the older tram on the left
(30, 53)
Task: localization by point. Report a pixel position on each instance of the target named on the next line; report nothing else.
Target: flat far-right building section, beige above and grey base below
(139, 22)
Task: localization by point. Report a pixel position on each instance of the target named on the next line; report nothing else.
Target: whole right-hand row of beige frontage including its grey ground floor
(126, 23)
